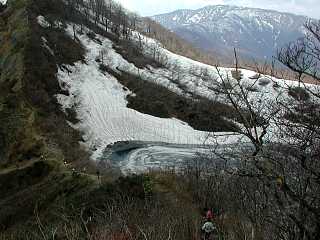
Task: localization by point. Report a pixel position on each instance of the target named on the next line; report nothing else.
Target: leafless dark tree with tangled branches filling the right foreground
(278, 172)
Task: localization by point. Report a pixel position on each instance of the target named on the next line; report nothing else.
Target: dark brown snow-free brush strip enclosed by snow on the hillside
(156, 100)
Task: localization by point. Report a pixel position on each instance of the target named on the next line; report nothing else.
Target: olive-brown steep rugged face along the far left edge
(21, 138)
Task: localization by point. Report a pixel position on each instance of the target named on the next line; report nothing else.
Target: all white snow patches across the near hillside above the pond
(101, 105)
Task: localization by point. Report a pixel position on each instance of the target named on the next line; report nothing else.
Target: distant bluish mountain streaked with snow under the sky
(257, 33)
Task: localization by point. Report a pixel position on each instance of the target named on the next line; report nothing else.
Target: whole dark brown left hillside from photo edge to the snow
(29, 108)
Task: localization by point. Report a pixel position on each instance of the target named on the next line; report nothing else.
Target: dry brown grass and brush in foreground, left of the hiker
(130, 208)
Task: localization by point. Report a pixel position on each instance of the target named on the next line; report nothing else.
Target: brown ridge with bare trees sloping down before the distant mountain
(113, 18)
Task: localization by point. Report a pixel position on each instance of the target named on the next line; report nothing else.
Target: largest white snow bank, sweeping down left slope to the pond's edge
(100, 102)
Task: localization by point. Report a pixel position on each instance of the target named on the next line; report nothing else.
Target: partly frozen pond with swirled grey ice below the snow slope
(138, 157)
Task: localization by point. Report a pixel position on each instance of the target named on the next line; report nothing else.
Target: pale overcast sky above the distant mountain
(310, 8)
